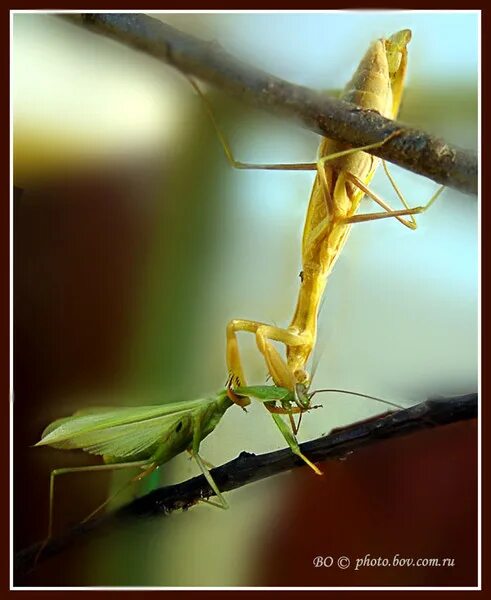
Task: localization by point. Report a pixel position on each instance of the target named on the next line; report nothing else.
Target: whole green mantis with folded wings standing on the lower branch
(146, 437)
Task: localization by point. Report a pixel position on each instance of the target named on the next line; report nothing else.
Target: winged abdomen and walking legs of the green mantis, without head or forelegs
(143, 437)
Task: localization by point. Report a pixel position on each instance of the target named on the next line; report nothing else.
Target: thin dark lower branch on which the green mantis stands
(248, 468)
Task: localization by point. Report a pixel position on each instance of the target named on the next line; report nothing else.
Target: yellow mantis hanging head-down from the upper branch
(342, 179)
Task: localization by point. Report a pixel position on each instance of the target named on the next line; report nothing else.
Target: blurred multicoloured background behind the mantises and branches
(135, 243)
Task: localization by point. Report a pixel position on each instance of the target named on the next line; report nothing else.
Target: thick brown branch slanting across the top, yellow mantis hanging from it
(414, 150)
